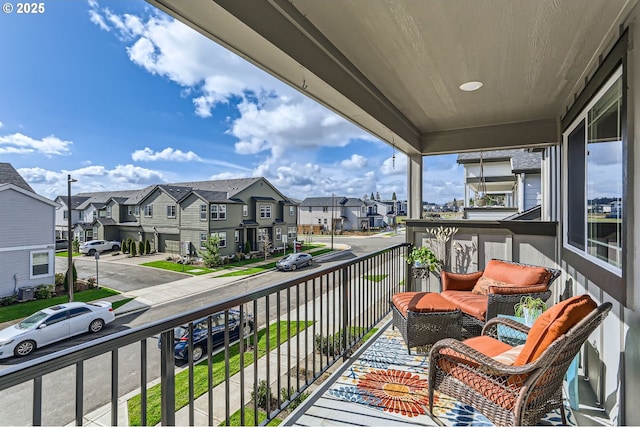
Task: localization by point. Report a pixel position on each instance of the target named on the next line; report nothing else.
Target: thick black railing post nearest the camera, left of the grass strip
(167, 379)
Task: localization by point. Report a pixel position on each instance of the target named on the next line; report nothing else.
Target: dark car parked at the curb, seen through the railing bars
(181, 334)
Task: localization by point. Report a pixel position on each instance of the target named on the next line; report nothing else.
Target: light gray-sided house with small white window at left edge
(26, 253)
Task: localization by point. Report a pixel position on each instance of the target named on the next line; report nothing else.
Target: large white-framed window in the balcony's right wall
(593, 203)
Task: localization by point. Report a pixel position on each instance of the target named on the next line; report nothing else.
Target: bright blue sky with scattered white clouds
(121, 96)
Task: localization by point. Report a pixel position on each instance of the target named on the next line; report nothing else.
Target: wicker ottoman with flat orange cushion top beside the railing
(424, 318)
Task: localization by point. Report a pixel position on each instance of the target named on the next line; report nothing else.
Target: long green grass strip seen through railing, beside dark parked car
(200, 373)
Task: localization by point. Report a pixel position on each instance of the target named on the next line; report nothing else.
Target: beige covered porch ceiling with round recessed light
(394, 67)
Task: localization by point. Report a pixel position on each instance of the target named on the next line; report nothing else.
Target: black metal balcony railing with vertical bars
(317, 320)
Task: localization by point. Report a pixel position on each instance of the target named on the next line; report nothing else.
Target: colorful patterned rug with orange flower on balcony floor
(388, 384)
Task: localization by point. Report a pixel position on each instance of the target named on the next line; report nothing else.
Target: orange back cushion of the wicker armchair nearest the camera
(553, 323)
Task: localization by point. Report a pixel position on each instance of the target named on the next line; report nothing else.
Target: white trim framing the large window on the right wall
(565, 178)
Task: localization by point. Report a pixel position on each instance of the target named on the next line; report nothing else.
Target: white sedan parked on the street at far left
(54, 324)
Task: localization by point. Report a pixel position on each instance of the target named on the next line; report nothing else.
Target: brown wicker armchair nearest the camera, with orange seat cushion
(509, 395)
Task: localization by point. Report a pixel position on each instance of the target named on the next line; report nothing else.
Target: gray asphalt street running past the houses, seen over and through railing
(58, 406)
